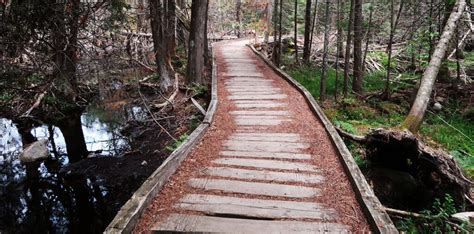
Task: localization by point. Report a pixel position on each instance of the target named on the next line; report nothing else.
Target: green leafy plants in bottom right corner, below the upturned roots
(433, 220)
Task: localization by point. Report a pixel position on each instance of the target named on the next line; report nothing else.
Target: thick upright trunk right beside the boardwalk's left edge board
(195, 66)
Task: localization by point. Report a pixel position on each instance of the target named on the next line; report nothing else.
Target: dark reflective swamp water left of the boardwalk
(35, 197)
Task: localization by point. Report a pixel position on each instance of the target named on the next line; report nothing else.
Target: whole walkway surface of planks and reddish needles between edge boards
(265, 165)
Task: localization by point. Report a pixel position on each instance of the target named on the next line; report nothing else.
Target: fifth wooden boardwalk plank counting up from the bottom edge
(267, 164)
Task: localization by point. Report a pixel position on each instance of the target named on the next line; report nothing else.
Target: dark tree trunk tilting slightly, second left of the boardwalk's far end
(160, 44)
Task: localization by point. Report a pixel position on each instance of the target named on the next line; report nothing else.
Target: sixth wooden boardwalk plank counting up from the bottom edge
(261, 154)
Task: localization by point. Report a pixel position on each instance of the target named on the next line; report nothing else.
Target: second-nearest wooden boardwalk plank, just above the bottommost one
(255, 208)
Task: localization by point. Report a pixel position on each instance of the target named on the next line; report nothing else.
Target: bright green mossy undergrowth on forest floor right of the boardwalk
(449, 129)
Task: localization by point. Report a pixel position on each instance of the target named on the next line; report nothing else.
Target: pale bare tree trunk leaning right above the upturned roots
(418, 109)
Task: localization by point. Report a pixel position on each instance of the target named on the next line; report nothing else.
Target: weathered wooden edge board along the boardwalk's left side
(129, 214)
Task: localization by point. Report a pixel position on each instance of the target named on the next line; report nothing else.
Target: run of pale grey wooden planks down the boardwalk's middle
(255, 151)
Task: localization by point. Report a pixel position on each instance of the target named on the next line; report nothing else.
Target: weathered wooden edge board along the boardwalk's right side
(378, 219)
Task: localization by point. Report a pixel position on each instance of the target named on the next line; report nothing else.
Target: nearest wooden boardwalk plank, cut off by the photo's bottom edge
(196, 223)
